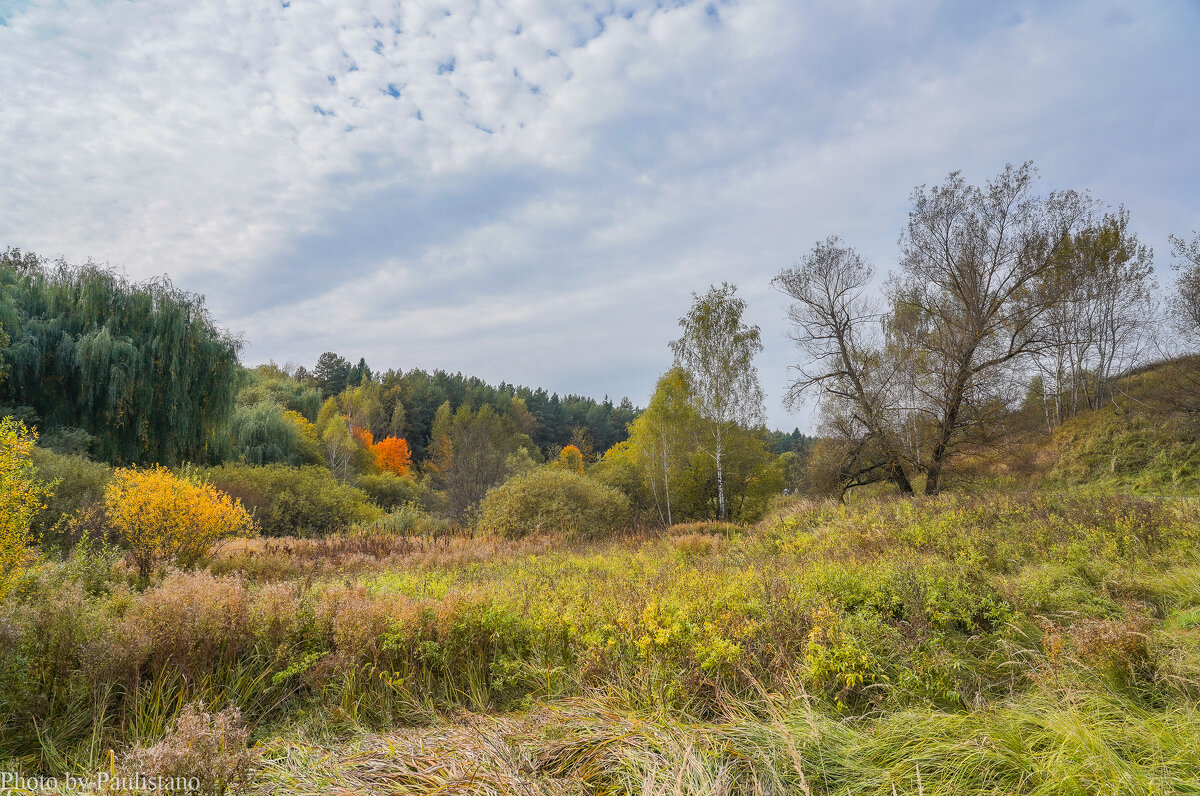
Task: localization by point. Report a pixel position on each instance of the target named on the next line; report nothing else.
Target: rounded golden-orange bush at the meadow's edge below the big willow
(160, 517)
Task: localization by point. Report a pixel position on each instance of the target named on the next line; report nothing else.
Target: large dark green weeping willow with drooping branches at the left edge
(141, 367)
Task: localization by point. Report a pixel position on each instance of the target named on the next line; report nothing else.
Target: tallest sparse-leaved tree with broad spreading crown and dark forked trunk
(979, 267)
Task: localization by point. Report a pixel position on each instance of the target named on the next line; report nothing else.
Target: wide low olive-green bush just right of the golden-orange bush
(293, 501)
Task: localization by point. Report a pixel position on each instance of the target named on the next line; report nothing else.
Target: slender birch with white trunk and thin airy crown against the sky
(717, 350)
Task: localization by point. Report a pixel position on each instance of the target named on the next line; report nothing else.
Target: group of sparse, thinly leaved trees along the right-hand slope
(1004, 300)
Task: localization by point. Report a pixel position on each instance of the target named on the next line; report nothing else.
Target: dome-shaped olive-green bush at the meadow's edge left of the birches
(553, 500)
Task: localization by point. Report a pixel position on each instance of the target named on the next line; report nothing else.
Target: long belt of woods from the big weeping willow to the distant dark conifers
(139, 374)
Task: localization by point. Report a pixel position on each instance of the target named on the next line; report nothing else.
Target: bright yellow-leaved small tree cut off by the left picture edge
(21, 496)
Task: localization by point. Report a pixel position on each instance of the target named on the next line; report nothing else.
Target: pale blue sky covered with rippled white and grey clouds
(532, 191)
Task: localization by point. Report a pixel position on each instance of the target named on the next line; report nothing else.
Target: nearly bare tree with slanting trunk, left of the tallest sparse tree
(849, 368)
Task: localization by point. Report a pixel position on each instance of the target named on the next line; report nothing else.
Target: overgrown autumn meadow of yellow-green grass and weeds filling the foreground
(997, 643)
